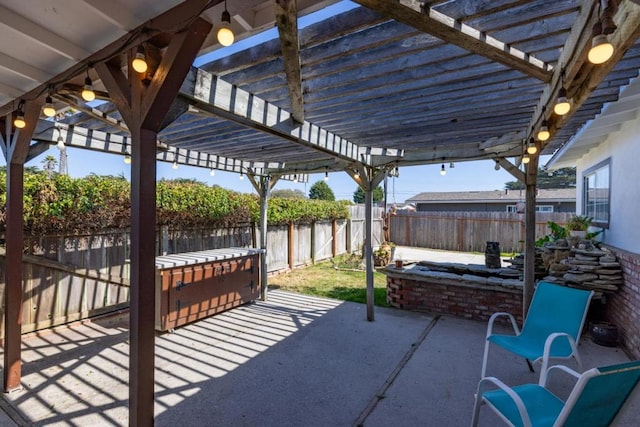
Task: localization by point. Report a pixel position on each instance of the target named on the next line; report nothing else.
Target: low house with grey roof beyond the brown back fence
(551, 200)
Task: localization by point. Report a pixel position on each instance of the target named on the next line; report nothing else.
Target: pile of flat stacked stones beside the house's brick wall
(587, 267)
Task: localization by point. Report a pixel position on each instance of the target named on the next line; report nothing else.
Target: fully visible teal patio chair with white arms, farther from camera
(551, 330)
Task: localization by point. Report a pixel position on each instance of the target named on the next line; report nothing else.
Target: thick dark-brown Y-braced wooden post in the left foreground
(144, 106)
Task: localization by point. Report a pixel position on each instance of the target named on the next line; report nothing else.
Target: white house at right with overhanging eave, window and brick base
(605, 153)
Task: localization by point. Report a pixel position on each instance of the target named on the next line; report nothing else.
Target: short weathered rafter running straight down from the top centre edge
(287, 21)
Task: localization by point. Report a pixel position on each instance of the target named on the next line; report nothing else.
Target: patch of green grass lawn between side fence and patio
(338, 278)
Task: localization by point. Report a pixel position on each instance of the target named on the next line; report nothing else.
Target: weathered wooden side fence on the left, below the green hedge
(67, 278)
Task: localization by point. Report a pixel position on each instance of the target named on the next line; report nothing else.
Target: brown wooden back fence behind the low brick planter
(467, 231)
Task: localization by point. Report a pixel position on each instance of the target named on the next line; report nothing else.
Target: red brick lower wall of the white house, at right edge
(623, 307)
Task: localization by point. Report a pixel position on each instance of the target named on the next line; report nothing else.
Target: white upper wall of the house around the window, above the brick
(624, 150)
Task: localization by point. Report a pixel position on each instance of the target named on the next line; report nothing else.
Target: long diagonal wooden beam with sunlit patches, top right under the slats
(455, 32)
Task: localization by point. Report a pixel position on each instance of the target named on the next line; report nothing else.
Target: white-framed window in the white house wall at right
(595, 200)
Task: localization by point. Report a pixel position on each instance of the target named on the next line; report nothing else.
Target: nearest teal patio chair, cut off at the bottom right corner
(596, 399)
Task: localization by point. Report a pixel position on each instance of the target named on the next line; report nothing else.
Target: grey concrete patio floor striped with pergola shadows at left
(292, 360)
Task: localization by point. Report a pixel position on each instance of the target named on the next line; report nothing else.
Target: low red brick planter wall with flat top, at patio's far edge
(469, 297)
